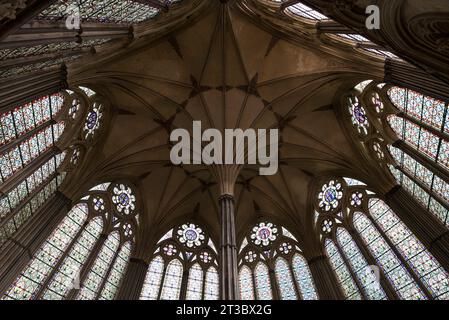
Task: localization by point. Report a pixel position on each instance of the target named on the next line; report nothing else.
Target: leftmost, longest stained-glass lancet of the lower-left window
(44, 260)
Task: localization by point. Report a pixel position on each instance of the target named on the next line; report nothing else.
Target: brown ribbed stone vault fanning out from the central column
(229, 73)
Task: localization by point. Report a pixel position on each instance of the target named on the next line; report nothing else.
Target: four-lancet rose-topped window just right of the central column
(272, 265)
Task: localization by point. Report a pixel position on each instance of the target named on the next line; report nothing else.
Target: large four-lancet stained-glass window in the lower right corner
(371, 255)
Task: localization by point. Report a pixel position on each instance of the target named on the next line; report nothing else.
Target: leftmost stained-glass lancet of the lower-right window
(348, 285)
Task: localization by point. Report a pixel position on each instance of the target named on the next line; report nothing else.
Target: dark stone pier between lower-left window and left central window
(130, 287)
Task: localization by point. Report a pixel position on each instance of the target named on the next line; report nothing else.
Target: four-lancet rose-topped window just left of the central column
(184, 266)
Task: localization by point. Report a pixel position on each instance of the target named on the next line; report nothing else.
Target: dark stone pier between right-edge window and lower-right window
(426, 227)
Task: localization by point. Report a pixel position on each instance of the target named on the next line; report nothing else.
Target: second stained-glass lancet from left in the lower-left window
(68, 272)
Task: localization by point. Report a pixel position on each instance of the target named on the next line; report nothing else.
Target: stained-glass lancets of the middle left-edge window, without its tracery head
(29, 160)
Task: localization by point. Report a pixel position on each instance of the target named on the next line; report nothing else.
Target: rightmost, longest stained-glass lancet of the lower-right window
(430, 272)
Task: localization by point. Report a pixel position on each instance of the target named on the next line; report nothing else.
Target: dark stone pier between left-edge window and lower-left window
(18, 251)
